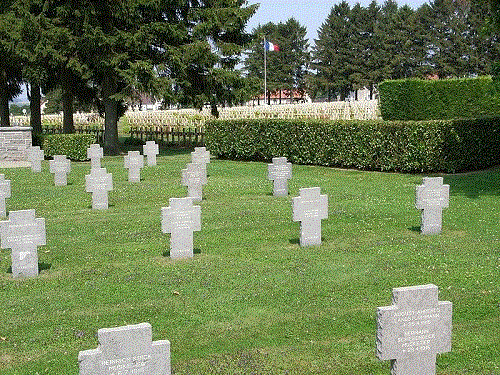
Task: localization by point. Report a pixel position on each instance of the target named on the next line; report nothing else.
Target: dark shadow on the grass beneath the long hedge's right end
(474, 184)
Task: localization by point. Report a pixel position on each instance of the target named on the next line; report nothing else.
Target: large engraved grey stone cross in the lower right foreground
(414, 330)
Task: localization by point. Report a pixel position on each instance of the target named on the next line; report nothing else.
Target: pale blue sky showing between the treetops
(309, 13)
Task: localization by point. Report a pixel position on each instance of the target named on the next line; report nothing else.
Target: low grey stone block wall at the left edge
(14, 140)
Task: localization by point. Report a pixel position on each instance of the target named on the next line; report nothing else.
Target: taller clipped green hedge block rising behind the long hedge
(417, 99)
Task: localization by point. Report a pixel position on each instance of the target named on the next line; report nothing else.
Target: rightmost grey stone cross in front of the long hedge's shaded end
(432, 196)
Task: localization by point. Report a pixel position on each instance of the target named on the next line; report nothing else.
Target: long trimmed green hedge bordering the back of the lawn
(430, 146)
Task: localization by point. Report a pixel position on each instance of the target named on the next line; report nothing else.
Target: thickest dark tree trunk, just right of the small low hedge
(109, 88)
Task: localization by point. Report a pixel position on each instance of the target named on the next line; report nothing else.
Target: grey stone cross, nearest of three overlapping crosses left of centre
(181, 219)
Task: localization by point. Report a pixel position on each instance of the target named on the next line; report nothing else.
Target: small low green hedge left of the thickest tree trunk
(74, 146)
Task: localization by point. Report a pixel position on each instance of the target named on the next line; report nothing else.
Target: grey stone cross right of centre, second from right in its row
(310, 208)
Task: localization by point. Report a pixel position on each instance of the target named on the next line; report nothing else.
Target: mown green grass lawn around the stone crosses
(251, 301)
